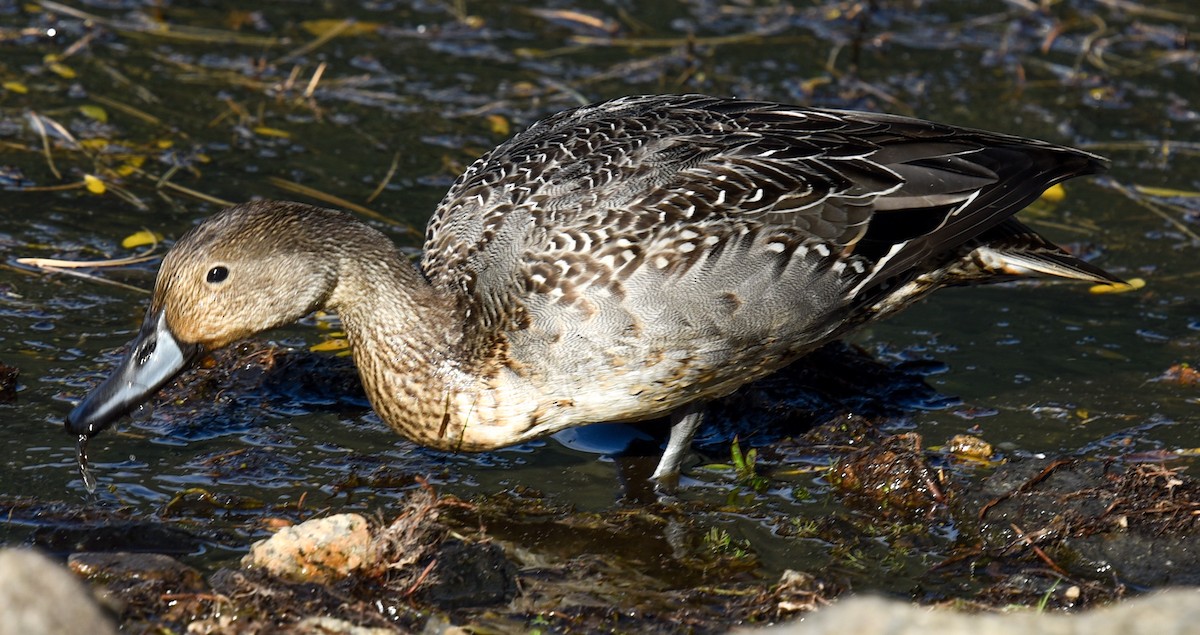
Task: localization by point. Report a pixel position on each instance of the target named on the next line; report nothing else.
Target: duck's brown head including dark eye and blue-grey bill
(245, 271)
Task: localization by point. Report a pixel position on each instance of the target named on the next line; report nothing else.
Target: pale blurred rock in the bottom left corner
(38, 596)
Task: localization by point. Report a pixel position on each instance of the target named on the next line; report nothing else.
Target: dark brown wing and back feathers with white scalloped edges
(892, 195)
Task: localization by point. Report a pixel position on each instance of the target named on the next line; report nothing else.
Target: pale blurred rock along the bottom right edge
(1172, 613)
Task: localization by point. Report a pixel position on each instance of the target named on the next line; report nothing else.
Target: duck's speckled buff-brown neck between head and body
(406, 337)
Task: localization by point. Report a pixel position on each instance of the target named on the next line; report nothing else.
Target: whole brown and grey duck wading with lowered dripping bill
(626, 261)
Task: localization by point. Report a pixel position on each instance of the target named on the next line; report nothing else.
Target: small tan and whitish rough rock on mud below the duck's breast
(320, 550)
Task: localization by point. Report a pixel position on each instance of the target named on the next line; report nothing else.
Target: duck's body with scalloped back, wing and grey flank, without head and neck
(667, 248)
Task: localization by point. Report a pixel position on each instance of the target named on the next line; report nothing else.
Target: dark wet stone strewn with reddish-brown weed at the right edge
(1101, 522)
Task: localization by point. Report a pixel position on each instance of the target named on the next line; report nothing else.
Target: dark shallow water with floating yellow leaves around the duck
(1034, 369)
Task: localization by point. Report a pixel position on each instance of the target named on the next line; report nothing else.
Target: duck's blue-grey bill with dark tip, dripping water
(155, 358)
